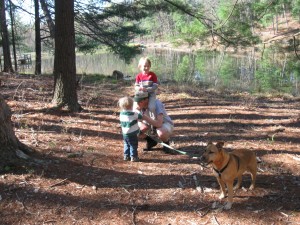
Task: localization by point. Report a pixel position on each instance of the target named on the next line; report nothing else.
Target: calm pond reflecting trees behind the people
(274, 72)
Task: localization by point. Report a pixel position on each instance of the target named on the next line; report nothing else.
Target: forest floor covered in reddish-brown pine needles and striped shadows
(82, 178)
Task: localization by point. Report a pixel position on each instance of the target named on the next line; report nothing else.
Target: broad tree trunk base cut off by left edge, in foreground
(10, 145)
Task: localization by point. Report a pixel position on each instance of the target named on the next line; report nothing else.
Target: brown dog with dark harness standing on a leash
(228, 166)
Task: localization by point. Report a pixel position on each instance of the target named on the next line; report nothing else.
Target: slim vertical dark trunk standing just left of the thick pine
(38, 47)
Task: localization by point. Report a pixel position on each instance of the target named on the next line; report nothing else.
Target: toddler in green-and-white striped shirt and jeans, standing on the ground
(130, 129)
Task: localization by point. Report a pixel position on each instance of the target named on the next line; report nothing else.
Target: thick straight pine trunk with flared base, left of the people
(64, 59)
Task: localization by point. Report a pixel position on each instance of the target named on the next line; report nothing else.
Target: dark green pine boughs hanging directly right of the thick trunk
(111, 27)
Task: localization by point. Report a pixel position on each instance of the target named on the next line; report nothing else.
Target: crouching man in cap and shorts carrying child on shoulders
(160, 121)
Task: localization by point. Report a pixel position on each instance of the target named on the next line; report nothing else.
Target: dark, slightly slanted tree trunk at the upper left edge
(5, 39)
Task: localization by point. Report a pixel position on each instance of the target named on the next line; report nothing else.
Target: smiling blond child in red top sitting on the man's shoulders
(147, 81)
